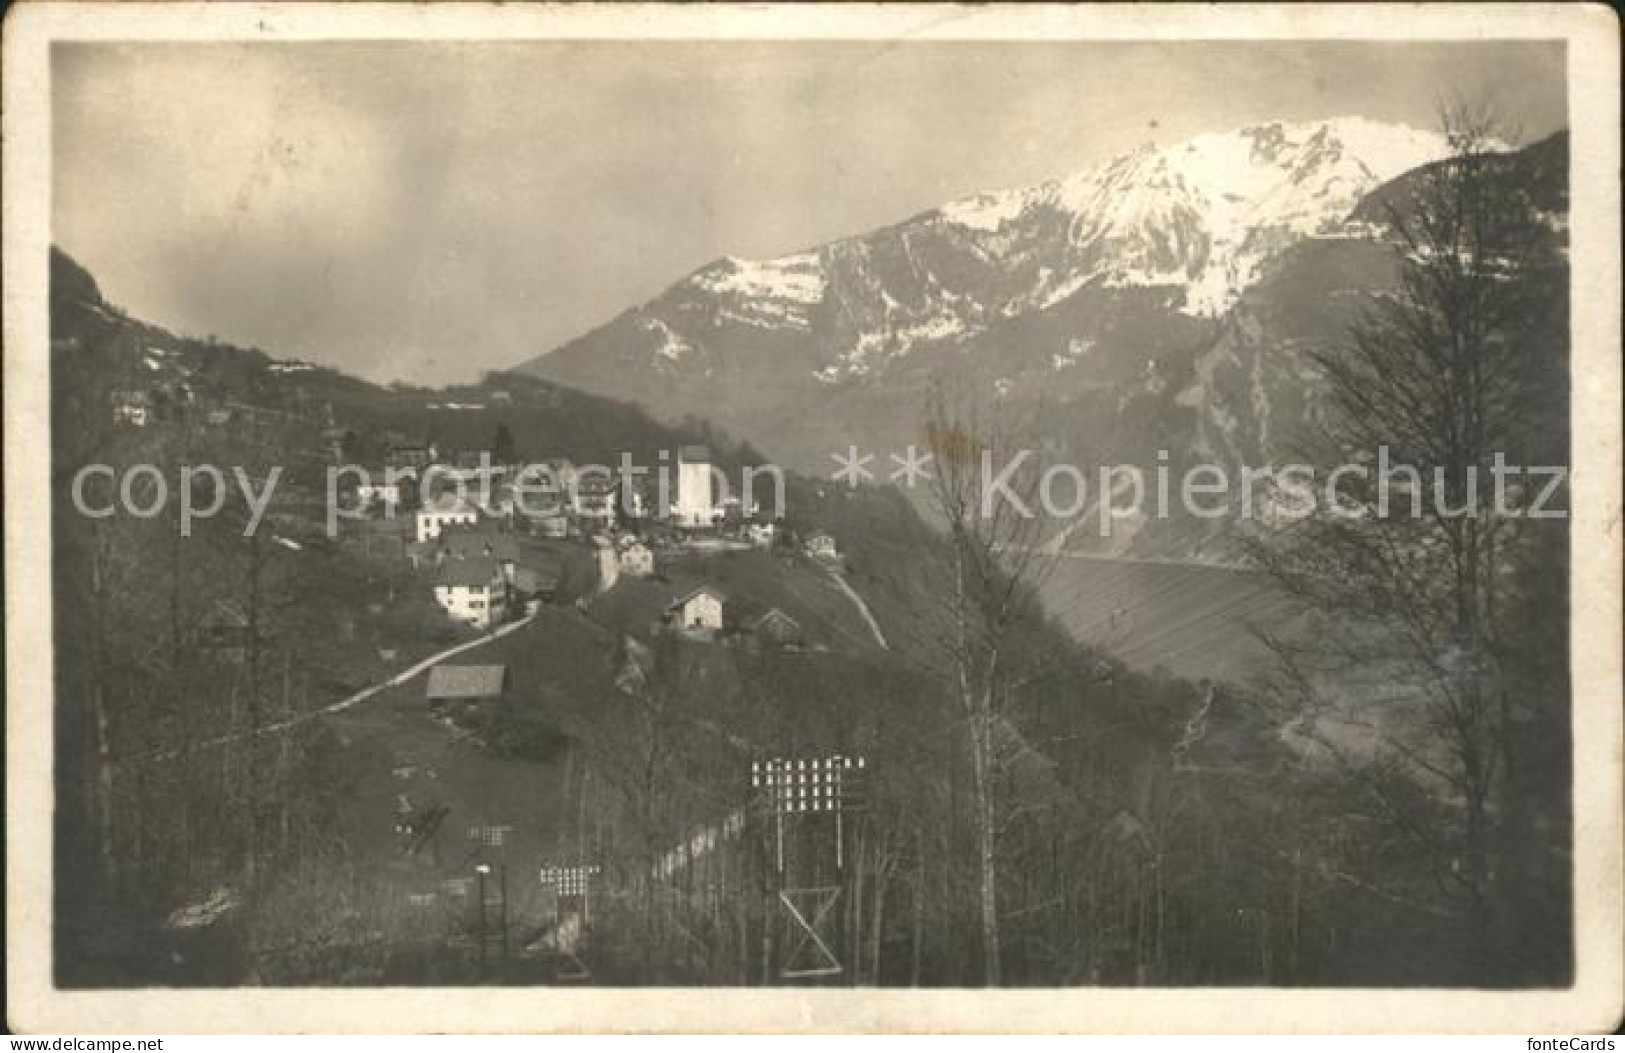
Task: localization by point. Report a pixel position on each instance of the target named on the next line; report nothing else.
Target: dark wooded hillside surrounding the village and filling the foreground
(1148, 830)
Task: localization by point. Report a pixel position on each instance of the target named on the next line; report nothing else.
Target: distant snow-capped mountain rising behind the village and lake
(1164, 300)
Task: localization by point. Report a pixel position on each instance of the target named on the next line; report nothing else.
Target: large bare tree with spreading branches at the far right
(1411, 584)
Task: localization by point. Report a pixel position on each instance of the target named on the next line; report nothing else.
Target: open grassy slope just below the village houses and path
(397, 756)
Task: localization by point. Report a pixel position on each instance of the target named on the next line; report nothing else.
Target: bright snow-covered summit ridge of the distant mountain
(1200, 215)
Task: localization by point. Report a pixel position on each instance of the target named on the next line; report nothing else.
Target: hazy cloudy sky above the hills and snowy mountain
(430, 210)
